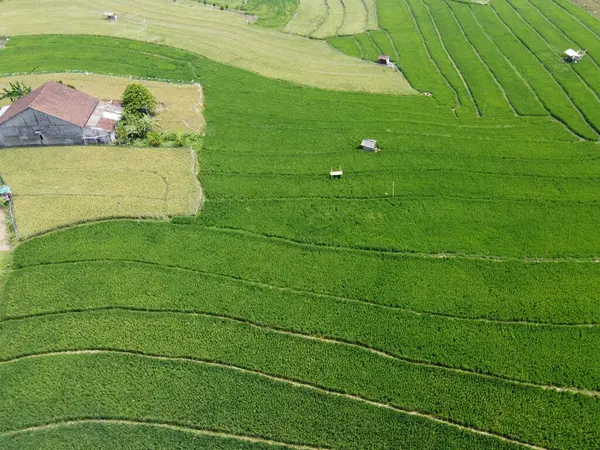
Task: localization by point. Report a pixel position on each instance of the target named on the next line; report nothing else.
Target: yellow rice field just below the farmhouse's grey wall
(59, 186)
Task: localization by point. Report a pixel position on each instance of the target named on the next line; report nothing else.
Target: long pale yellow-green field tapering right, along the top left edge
(224, 36)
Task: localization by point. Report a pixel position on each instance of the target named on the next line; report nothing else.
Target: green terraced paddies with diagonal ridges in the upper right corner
(503, 59)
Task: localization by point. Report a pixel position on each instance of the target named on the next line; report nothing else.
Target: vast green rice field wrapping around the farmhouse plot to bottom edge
(443, 288)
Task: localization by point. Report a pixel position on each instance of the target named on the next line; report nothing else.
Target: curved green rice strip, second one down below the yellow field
(526, 352)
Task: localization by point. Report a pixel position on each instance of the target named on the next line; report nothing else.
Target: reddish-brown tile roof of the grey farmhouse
(56, 100)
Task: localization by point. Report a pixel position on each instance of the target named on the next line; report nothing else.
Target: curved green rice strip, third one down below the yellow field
(527, 413)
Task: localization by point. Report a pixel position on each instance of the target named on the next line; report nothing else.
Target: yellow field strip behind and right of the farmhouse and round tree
(181, 104)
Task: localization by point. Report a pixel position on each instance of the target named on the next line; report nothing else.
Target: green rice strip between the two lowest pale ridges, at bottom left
(130, 387)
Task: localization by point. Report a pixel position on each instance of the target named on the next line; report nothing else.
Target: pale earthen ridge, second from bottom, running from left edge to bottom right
(295, 383)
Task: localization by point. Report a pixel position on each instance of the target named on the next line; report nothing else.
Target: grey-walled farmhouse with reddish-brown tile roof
(55, 114)
